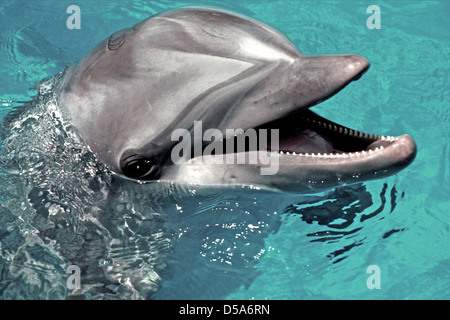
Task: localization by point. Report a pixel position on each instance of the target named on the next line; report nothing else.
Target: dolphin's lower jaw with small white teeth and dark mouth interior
(314, 154)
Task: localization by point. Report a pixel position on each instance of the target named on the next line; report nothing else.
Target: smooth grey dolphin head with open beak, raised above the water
(130, 93)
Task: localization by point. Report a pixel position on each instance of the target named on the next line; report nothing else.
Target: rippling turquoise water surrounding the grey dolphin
(286, 246)
